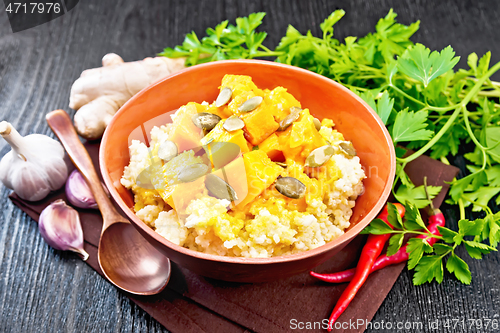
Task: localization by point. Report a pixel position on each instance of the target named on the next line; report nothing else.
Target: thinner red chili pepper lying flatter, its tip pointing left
(435, 220)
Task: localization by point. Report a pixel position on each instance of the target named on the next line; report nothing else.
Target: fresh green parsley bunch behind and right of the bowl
(427, 107)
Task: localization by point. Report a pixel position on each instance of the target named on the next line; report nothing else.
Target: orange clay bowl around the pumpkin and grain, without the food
(324, 97)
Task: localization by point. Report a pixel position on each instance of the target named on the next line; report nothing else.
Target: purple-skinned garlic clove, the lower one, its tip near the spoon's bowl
(59, 225)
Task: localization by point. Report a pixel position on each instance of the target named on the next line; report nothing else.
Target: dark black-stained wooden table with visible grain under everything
(43, 290)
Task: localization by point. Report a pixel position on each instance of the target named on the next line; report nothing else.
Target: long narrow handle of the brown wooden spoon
(61, 125)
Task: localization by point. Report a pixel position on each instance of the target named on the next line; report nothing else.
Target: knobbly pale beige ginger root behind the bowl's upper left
(99, 92)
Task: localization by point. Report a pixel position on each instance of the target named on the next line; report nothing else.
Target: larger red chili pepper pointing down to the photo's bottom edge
(371, 250)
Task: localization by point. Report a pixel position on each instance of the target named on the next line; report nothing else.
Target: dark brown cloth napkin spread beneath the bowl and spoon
(192, 303)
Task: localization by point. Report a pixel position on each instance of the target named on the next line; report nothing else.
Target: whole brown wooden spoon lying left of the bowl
(126, 258)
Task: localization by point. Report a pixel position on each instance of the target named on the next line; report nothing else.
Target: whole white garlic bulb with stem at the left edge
(35, 165)
